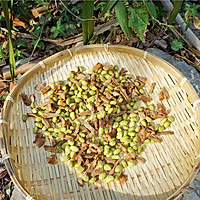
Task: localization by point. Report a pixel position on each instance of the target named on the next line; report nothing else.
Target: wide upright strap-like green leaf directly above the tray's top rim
(88, 25)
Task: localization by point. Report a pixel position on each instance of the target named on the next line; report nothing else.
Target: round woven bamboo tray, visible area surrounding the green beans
(169, 167)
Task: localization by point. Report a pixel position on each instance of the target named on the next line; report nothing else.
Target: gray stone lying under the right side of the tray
(193, 192)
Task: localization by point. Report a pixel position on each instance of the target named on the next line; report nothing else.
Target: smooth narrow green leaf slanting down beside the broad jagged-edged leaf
(122, 18)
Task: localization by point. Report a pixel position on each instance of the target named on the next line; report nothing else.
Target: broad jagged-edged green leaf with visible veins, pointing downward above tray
(139, 20)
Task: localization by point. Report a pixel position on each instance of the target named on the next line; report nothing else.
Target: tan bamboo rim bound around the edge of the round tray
(66, 54)
